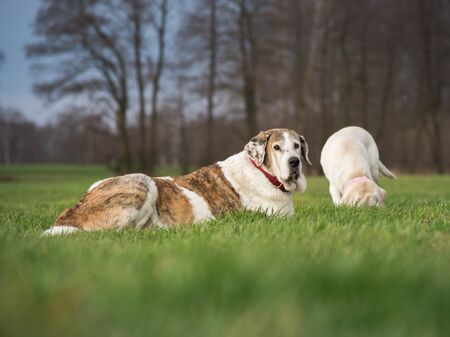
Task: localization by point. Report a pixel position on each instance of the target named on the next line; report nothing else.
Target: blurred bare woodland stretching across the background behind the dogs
(185, 83)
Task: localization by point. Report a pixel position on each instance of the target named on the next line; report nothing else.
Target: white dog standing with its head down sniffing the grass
(351, 164)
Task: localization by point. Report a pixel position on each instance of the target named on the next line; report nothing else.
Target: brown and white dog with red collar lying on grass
(260, 178)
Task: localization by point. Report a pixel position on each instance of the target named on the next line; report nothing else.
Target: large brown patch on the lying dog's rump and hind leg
(107, 205)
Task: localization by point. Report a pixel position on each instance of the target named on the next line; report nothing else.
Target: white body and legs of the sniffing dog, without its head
(348, 153)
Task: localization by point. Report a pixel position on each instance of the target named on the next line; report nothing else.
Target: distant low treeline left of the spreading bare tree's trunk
(75, 136)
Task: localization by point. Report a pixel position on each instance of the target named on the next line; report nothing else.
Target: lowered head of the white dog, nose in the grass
(367, 193)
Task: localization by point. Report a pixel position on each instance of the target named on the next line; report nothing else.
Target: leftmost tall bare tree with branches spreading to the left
(88, 51)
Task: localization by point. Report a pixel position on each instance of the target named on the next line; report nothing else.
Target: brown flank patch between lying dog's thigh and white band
(172, 206)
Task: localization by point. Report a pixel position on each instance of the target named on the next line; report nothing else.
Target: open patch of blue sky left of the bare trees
(16, 30)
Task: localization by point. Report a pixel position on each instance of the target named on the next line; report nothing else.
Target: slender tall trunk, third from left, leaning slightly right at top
(161, 29)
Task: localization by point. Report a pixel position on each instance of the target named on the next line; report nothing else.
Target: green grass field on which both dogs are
(324, 272)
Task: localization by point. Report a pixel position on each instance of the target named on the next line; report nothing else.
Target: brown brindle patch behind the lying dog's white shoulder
(210, 183)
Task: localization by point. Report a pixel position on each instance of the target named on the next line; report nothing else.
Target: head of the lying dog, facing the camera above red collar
(279, 151)
